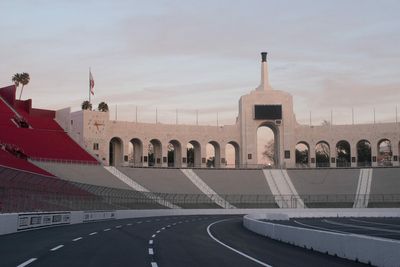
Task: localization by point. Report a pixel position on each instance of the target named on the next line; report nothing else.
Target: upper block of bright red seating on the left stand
(44, 138)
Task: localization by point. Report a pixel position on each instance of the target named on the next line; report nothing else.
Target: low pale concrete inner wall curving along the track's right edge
(375, 251)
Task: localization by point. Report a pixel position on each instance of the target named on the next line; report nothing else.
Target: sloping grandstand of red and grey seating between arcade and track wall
(39, 159)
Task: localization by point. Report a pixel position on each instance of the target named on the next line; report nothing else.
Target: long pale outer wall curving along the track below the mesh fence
(10, 223)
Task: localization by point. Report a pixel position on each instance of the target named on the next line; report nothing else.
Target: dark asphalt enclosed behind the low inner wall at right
(376, 227)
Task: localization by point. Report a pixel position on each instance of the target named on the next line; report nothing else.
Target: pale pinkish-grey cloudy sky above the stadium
(191, 57)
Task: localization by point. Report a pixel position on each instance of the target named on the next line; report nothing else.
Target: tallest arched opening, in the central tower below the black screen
(267, 145)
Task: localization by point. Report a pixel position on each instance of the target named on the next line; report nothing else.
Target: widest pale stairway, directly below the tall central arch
(282, 188)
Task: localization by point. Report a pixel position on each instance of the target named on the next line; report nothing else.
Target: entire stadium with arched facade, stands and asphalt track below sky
(80, 189)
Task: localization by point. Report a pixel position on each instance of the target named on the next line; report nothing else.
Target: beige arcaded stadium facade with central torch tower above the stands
(342, 145)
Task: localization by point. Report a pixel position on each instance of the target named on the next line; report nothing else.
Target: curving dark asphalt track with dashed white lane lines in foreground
(157, 241)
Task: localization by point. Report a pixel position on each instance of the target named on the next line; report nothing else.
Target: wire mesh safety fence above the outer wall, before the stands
(22, 199)
